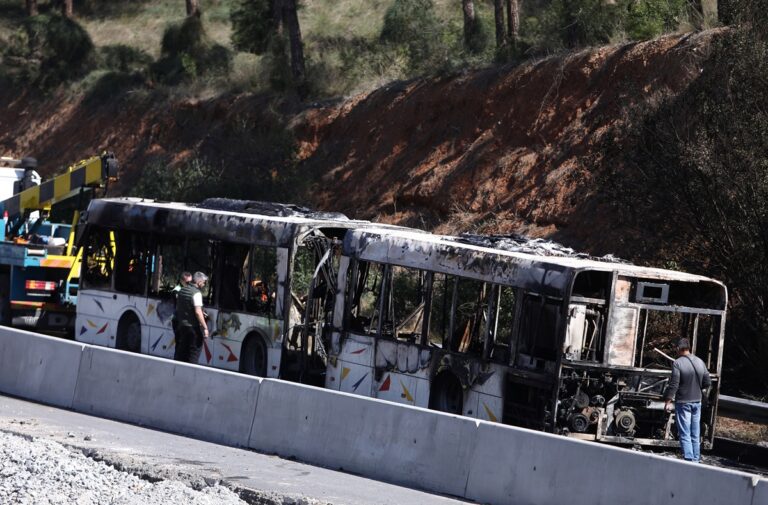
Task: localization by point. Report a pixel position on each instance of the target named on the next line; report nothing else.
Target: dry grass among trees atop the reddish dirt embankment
(342, 38)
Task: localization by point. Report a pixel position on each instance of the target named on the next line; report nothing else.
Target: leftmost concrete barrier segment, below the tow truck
(37, 367)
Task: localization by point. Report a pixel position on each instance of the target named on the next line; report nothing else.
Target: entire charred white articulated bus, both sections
(496, 328)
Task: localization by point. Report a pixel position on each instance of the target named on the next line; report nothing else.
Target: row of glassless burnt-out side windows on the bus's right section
(430, 309)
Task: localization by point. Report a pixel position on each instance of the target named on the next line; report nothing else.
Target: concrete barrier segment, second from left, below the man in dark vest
(213, 405)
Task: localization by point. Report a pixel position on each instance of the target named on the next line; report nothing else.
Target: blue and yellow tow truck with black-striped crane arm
(39, 263)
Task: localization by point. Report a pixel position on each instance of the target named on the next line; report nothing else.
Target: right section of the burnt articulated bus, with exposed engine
(520, 332)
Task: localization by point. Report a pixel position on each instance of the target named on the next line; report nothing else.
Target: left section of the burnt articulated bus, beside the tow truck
(271, 271)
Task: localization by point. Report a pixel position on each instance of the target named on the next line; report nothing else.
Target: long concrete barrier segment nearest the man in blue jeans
(511, 465)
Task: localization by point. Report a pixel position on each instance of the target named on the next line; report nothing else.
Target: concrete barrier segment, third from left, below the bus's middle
(395, 443)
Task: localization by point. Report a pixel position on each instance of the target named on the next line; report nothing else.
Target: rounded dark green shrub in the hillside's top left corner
(48, 50)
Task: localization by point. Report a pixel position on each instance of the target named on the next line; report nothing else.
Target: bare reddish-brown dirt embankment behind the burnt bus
(497, 150)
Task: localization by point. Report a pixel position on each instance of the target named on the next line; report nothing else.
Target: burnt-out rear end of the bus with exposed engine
(614, 387)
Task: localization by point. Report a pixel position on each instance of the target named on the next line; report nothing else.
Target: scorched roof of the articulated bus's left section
(215, 221)
